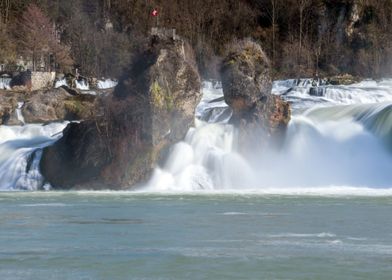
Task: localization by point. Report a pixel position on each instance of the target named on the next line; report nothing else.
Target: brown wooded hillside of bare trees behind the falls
(302, 37)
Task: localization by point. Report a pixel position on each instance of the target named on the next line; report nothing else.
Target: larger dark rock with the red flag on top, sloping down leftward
(152, 107)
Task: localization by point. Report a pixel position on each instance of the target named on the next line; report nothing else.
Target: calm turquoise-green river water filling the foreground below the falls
(144, 236)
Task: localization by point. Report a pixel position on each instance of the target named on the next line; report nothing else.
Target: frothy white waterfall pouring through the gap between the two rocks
(206, 160)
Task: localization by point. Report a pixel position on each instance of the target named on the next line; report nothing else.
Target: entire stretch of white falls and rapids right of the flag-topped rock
(328, 146)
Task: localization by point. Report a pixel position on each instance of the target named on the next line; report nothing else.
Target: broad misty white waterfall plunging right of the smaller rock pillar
(322, 153)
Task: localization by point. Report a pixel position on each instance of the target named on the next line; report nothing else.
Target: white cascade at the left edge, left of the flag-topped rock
(20, 154)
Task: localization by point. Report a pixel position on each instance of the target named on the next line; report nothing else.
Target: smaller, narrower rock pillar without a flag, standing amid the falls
(261, 117)
